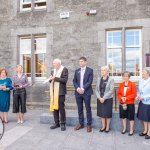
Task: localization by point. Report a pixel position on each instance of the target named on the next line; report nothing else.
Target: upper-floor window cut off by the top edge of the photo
(28, 5)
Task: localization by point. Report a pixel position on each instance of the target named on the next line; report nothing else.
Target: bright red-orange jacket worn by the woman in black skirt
(130, 93)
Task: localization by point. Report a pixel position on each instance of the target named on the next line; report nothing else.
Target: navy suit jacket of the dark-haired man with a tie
(87, 81)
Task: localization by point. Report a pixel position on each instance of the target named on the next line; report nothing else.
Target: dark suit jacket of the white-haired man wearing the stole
(63, 81)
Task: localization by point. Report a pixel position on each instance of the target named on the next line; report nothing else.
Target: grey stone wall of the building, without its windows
(68, 39)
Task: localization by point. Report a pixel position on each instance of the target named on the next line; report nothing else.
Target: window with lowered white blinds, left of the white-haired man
(33, 59)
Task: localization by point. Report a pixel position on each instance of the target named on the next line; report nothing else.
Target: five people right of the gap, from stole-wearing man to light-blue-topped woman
(128, 95)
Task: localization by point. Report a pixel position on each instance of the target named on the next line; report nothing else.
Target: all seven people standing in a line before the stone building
(128, 95)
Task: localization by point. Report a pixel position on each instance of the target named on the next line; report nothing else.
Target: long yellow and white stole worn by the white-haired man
(54, 90)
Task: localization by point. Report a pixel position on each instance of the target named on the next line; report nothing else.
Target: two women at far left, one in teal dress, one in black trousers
(18, 84)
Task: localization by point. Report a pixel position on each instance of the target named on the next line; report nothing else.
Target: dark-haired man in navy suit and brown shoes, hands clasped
(82, 81)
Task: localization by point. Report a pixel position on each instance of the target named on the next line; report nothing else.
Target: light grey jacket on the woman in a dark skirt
(109, 90)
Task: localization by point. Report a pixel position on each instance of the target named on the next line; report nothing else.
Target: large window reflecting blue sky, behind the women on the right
(124, 54)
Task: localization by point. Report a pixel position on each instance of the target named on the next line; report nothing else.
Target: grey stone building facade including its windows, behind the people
(33, 34)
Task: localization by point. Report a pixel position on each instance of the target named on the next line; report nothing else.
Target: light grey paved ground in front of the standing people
(35, 136)
